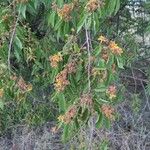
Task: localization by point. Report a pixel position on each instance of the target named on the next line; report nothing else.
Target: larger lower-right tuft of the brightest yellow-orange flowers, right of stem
(115, 49)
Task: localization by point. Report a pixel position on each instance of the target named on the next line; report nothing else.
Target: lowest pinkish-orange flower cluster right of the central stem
(108, 111)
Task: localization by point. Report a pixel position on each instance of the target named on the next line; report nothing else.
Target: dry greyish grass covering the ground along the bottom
(130, 132)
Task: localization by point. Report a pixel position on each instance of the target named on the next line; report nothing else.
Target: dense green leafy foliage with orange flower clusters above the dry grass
(69, 54)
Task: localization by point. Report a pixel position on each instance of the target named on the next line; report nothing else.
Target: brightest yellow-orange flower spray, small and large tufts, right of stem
(115, 49)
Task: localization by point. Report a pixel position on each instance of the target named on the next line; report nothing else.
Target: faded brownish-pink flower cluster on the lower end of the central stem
(86, 99)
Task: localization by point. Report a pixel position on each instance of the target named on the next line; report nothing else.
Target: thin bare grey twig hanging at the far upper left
(11, 42)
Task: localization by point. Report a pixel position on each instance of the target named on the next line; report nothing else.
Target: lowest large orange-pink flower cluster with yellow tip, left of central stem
(68, 116)
